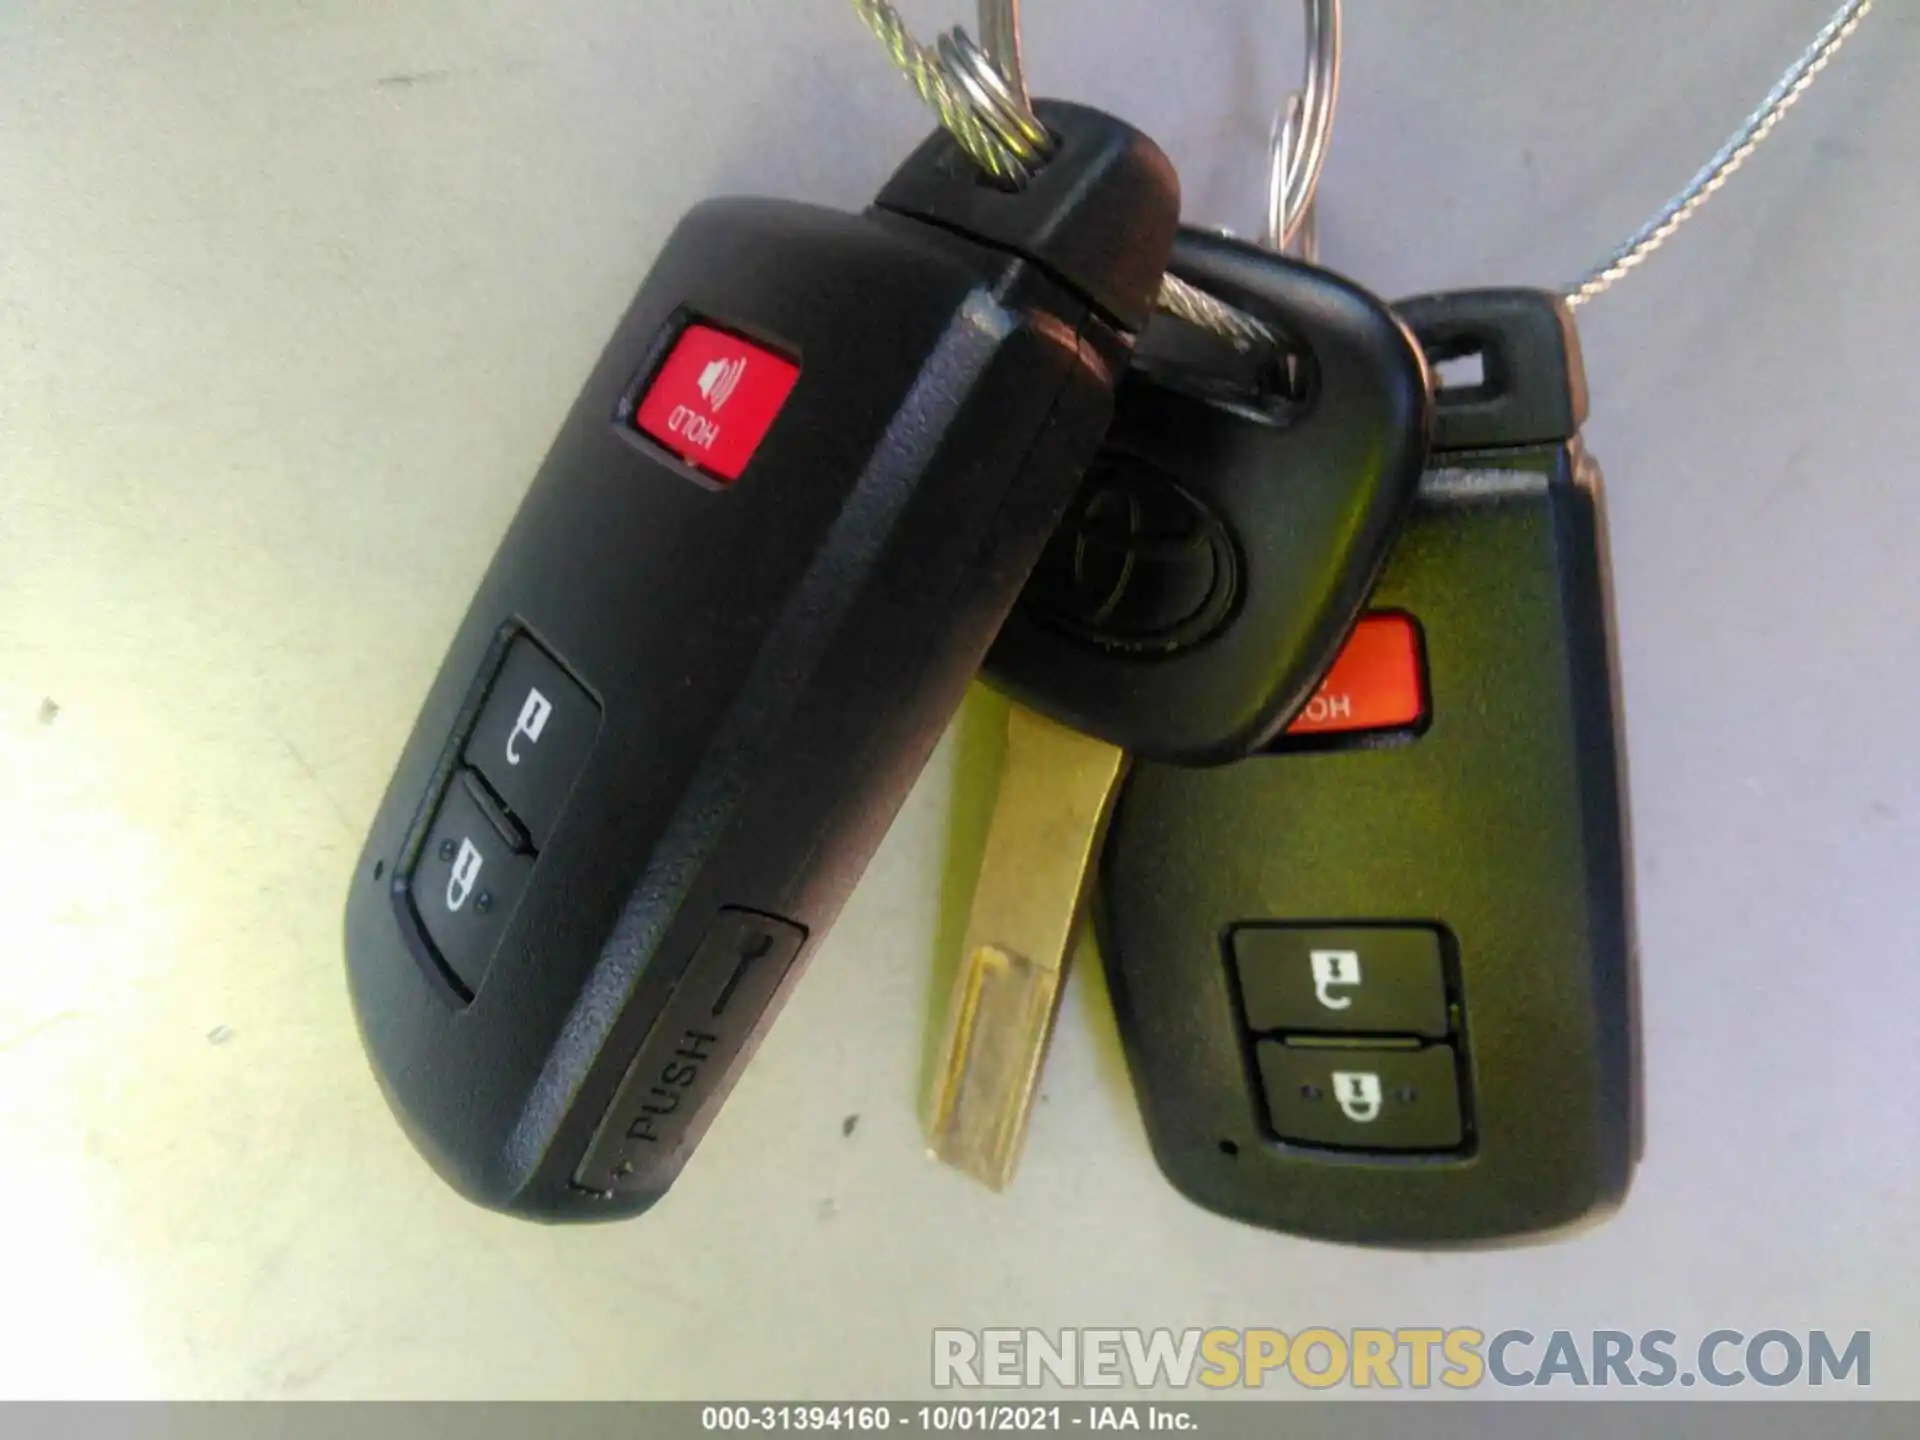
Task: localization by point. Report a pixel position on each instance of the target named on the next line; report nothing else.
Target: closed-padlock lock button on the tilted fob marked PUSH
(469, 880)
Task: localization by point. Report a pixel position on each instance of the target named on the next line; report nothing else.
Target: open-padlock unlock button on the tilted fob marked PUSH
(533, 738)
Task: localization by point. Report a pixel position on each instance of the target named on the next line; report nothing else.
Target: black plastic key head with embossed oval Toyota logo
(1234, 523)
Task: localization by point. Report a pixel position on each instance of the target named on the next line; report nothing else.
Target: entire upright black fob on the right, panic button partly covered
(1376, 986)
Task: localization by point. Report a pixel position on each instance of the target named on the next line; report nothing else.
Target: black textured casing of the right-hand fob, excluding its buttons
(1502, 827)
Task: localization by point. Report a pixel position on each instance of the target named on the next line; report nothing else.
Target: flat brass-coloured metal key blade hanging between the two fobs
(1049, 819)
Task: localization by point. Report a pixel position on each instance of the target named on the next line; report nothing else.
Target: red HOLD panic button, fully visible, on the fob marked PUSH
(715, 400)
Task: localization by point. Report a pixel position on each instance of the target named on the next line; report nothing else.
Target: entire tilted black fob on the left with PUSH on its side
(732, 617)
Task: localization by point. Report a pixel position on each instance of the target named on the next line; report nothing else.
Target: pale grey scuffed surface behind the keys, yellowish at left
(293, 300)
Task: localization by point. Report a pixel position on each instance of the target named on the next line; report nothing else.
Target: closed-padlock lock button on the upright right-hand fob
(1351, 1099)
